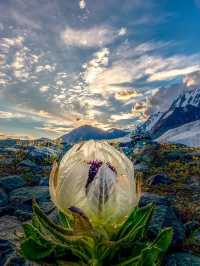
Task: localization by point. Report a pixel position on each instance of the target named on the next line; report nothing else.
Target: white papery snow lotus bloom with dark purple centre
(97, 179)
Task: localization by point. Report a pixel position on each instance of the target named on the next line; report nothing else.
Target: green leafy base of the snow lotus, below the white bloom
(75, 240)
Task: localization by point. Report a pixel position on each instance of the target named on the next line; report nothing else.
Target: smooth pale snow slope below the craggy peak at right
(188, 134)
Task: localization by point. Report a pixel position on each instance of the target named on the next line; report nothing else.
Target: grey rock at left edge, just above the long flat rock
(12, 182)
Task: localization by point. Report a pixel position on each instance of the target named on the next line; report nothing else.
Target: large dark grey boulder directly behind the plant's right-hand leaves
(164, 216)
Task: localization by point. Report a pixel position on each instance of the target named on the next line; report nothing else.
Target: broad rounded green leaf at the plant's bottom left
(32, 251)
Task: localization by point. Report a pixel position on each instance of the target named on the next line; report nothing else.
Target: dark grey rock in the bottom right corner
(182, 259)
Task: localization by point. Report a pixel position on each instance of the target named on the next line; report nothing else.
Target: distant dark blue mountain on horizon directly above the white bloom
(87, 132)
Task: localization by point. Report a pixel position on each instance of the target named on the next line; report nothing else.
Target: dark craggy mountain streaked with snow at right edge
(185, 109)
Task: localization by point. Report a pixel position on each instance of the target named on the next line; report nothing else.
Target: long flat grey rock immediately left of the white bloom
(25, 194)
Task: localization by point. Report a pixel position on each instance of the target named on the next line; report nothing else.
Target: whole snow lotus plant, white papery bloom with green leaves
(99, 221)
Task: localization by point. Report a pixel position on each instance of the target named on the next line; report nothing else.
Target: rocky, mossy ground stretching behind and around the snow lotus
(169, 175)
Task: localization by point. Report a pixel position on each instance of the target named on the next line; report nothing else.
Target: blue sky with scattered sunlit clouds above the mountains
(105, 63)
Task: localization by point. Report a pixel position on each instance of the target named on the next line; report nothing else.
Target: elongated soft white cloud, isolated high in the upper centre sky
(96, 36)
